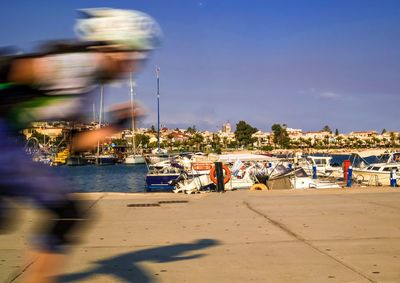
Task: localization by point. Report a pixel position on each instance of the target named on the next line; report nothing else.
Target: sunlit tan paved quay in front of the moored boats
(330, 235)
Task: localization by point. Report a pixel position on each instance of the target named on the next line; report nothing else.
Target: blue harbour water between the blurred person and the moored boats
(108, 178)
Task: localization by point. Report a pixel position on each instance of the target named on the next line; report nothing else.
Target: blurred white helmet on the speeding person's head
(127, 29)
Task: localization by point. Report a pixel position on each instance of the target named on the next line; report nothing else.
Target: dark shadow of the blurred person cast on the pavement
(126, 268)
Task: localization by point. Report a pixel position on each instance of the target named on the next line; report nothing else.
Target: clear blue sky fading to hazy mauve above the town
(305, 63)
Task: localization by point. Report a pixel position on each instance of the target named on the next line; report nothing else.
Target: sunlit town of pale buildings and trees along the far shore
(225, 139)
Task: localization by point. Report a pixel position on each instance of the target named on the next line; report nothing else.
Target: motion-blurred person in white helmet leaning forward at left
(55, 84)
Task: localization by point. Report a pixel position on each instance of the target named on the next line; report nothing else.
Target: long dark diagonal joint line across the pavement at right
(301, 239)
